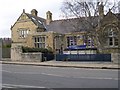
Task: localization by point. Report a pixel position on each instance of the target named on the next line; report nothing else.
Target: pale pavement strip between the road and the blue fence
(53, 63)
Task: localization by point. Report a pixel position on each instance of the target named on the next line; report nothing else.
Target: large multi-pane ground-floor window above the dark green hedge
(39, 42)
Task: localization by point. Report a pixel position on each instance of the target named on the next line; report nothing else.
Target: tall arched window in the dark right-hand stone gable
(112, 36)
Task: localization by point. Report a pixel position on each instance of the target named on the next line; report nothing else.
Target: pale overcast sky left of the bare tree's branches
(10, 10)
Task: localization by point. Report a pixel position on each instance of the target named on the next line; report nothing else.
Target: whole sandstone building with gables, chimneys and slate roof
(33, 31)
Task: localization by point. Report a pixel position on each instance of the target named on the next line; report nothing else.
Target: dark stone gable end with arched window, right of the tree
(109, 30)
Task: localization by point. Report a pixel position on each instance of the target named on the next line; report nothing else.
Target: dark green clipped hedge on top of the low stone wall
(28, 49)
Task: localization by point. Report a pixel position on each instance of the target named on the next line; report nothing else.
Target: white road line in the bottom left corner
(19, 86)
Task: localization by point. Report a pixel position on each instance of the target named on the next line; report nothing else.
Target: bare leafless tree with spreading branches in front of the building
(89, 14)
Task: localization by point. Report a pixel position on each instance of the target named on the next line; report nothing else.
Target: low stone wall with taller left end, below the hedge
(17, 55)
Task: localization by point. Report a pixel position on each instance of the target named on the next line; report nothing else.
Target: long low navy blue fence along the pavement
(83, 57)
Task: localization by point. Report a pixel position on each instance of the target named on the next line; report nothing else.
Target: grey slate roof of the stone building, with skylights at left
(64, 25)
